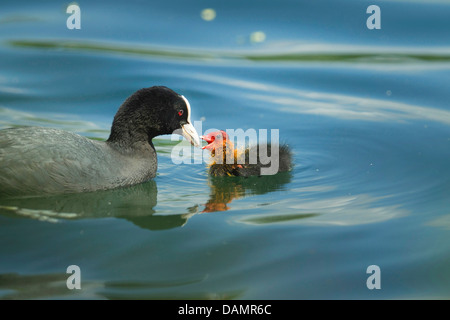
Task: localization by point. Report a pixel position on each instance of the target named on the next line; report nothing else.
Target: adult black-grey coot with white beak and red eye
(35, 160)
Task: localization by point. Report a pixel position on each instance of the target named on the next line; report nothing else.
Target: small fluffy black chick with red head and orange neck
(257, 160)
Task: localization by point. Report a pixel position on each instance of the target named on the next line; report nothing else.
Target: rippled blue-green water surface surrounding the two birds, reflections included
(365, 112)
